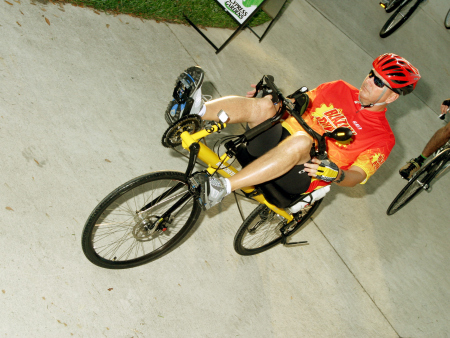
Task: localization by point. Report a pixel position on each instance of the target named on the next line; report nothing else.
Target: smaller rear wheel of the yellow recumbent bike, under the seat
(261, 230)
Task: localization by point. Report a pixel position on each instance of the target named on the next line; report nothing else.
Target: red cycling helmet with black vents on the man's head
(401, 75)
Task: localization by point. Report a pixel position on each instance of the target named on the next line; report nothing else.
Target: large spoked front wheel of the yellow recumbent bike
(140, 221)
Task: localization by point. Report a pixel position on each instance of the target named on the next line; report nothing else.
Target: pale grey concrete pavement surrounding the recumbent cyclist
(82, 98)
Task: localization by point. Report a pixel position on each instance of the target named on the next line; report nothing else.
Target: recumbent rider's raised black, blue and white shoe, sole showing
(187, 95)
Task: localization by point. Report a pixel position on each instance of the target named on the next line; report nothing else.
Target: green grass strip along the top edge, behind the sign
(204, 13)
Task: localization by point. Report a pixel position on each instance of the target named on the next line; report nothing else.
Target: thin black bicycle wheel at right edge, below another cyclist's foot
(419, 182)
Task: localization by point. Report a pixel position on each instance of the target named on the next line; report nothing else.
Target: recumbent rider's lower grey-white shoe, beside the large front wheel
(212, 189)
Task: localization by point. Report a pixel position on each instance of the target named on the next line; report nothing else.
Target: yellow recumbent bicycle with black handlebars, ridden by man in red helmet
(150, 215)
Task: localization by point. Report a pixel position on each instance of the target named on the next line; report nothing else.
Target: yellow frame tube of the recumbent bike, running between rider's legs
(213, 161)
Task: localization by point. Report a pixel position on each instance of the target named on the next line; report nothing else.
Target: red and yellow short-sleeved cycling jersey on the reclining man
(335, 104)
